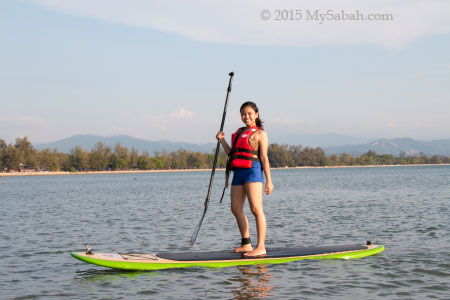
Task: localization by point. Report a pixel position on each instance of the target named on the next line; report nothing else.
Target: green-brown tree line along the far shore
(22, 156)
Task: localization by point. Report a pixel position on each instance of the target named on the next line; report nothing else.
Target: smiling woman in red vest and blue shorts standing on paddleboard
(248, 159)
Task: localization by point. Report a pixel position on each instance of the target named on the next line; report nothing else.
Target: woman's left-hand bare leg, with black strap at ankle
(237, 208)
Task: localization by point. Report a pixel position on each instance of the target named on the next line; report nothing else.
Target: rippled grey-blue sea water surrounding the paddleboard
(406, 209)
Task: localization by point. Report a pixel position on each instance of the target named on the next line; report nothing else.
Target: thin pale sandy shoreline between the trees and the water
(47, 173)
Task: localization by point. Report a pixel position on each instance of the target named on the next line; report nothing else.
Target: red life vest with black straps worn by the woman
(242, 154)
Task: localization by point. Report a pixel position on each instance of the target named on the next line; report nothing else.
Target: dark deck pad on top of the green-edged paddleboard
(271, 253)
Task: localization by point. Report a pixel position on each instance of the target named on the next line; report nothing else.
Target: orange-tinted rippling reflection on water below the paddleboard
(254, 283)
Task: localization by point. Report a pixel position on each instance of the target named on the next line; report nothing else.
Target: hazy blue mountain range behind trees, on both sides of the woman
(396, 147)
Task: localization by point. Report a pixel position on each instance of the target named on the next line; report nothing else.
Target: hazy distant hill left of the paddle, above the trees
(87, 142)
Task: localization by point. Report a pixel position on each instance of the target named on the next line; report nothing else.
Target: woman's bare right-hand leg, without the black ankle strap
(254, 195)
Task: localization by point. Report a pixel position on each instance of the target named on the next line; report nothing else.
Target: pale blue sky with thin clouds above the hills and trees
(159, 69)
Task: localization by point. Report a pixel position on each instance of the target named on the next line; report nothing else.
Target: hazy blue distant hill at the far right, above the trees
(395, 147)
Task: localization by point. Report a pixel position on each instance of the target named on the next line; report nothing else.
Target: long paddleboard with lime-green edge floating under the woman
(220, 259)
